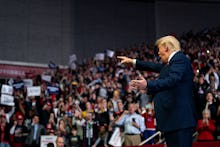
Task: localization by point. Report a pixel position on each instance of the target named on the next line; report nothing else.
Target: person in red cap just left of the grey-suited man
(19, 132)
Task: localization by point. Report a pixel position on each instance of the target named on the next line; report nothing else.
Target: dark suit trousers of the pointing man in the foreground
(179, 138)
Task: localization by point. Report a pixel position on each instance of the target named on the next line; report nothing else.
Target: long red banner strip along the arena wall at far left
(13, 71)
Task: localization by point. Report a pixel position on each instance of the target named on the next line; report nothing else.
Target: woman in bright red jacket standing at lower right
(206, 127)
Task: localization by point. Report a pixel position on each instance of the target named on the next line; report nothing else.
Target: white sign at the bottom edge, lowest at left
(46, 139)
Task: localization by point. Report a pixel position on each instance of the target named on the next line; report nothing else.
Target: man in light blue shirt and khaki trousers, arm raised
(133, 125)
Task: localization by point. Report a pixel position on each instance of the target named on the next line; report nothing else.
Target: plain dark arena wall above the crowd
(43, 30)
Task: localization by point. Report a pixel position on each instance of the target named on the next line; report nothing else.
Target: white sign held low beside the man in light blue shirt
(115, 139)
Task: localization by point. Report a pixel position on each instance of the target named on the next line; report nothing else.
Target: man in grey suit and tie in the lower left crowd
(35, 131)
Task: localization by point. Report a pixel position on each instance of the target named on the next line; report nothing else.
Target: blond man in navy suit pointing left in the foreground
(174, 106)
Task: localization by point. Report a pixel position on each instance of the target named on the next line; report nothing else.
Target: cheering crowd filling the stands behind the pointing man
(94, 99)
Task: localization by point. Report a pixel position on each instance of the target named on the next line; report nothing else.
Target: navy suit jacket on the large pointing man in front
(173, 91)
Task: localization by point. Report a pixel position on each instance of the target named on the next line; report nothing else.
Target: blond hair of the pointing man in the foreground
(170, 42)
